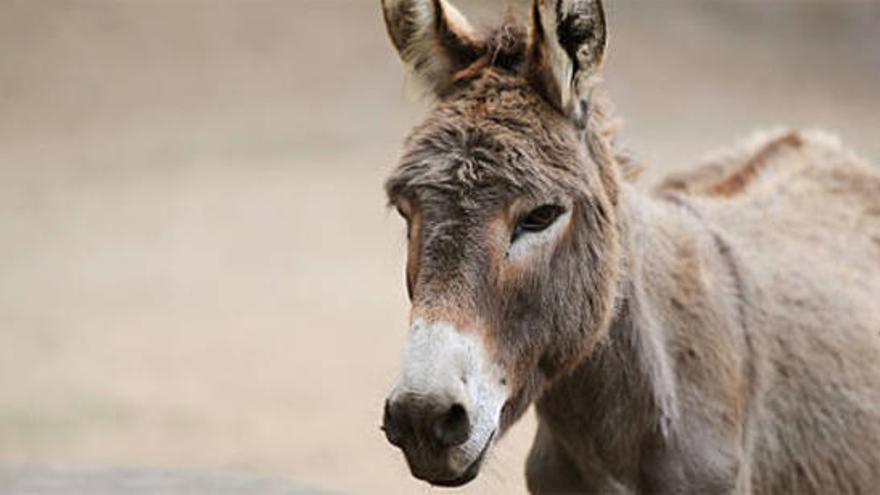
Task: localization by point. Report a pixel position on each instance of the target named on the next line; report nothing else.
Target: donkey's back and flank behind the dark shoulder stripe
(802, 214)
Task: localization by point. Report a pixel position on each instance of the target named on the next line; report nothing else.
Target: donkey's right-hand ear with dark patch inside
(566, 50)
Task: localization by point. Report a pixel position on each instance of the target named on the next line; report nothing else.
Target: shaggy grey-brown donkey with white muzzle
(718, 334)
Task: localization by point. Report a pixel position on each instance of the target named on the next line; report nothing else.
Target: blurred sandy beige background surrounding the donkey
(197, 269)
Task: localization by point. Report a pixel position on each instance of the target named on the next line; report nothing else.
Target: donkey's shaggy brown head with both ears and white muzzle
(509, 194)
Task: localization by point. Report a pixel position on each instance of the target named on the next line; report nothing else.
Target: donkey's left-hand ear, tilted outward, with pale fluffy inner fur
(433, 39)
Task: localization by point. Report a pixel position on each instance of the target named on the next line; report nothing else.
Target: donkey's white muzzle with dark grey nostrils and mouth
(445, 406)
